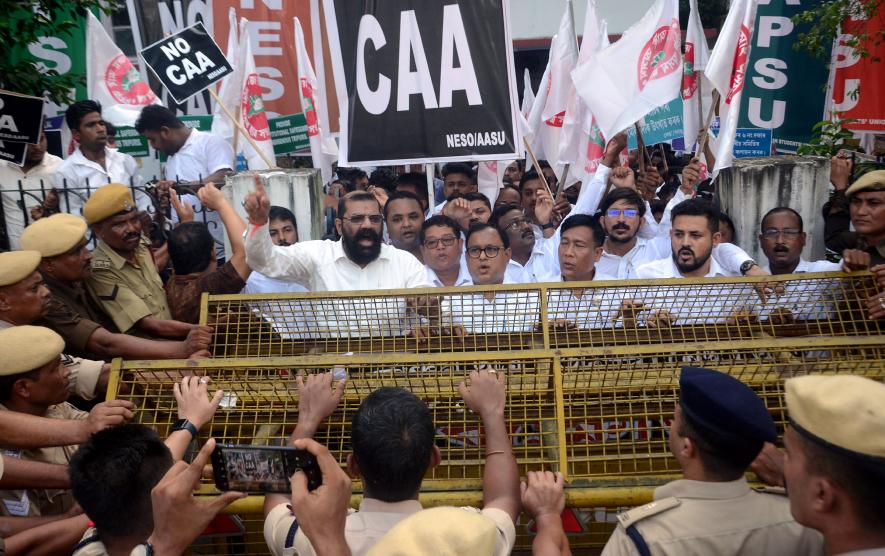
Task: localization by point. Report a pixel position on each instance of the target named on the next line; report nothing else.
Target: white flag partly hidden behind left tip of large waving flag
(579, 144)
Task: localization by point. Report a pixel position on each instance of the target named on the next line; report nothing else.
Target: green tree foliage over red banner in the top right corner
(825, 20)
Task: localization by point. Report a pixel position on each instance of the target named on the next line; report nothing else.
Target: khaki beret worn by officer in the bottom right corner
(842, 411)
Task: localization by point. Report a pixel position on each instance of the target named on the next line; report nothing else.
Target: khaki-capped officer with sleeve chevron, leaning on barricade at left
(124, 280)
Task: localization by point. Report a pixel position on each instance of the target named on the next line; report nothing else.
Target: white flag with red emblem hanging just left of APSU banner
(727, 71)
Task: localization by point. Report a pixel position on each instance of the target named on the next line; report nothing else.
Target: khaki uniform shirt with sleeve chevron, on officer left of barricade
(127, 291)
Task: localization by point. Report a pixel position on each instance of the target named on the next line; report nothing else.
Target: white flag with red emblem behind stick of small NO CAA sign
(241, 94)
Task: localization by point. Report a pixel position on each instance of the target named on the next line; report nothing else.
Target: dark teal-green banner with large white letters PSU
(784, 90)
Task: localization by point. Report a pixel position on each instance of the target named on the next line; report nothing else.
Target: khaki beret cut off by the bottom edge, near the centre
(443, 531)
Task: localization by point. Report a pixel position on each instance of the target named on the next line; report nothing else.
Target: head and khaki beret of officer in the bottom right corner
(835, 463)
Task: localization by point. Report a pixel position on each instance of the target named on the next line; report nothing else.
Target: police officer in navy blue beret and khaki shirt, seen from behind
(718, 429)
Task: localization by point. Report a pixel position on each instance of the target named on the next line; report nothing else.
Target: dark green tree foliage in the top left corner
(23, 23)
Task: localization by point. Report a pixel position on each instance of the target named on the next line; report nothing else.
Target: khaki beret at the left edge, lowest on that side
(27, 348)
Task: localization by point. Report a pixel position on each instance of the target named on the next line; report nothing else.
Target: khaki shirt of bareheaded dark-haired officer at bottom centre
(365, 527)
